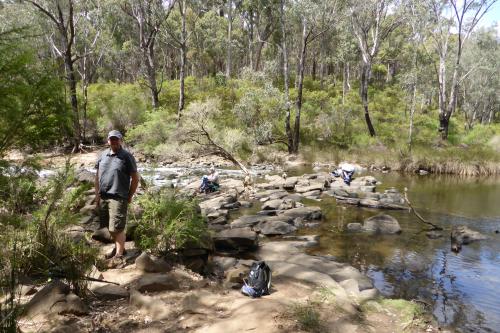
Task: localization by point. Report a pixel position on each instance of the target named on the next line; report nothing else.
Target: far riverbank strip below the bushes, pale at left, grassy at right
(439, 159)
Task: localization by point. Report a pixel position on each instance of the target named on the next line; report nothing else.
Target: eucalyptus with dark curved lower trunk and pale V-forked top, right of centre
(372, 22)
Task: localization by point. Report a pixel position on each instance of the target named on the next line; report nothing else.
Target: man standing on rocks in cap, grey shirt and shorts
(115, 184)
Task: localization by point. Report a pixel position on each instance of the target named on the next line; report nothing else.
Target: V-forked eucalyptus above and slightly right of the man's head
(149, 16)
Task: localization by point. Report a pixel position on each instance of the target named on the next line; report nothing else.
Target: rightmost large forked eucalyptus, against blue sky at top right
(452, 22)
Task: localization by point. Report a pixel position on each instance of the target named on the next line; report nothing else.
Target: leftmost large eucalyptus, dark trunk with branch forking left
(61, 14)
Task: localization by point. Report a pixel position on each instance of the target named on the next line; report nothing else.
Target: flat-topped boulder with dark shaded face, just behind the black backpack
(236, 239)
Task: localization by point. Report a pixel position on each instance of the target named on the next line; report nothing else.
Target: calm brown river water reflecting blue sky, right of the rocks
(461, 290)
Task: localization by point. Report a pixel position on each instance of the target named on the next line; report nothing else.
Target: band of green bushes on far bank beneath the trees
(253, 107)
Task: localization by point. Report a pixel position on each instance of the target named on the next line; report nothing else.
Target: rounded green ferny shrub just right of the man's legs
(168, 222)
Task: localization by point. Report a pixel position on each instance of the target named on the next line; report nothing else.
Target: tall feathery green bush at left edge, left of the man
(43, 249)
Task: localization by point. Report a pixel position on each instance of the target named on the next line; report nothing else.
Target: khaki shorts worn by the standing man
(113, 213)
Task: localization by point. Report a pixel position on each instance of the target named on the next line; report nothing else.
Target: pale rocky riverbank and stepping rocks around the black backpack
(148, 294)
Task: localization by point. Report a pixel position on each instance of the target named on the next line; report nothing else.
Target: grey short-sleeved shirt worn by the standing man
(114, 171)
